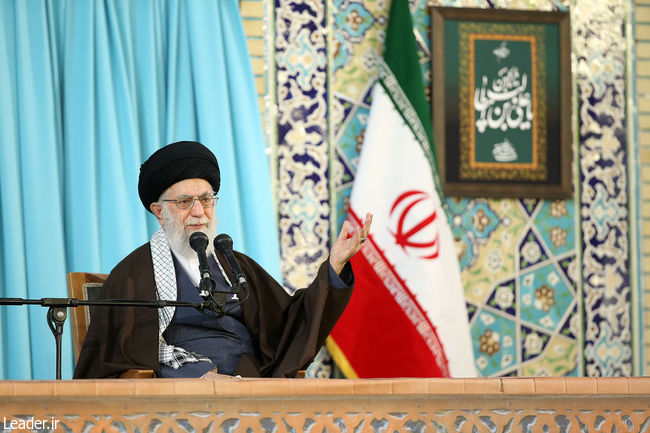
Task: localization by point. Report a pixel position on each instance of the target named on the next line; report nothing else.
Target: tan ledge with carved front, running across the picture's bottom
(301, 405)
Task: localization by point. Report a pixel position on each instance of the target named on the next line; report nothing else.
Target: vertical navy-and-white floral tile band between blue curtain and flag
(302, 147)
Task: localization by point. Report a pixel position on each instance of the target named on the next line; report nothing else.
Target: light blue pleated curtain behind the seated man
(89, 89)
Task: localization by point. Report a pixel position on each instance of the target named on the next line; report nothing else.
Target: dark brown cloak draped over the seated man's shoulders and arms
(287, 331)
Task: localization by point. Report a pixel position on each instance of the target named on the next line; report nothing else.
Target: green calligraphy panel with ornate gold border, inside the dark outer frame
(502, 102)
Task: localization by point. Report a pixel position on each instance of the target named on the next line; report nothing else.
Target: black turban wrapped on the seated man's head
(173, 163)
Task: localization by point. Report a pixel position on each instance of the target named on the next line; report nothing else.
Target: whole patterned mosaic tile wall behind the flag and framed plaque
(525, 287)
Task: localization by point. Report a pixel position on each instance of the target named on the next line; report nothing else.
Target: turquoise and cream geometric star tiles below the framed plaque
(520, 327)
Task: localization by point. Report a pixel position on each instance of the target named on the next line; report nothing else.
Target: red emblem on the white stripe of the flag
(412, 230)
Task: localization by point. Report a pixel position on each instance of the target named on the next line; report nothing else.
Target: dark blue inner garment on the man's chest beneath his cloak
(223, 339)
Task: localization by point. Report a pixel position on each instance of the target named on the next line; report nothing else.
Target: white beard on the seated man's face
(178, 236)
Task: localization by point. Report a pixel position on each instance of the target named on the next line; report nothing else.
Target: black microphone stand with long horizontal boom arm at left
(58, 311)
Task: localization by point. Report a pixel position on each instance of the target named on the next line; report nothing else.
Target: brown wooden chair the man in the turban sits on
(87, 286)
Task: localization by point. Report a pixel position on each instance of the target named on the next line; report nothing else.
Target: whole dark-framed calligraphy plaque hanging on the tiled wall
(501, 104)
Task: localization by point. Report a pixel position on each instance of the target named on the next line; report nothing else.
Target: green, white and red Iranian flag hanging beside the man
(407, 315)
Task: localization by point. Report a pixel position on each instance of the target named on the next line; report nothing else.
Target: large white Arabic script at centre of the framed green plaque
(504, 103)
